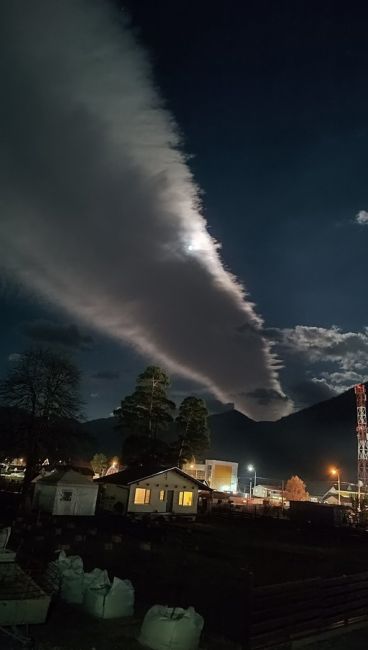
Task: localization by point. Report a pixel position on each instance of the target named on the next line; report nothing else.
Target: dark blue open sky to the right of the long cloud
(271, 98)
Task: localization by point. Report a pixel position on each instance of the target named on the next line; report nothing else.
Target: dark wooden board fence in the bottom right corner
(282, 613)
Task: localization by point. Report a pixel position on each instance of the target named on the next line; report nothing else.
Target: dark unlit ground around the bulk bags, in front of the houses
(208, 564)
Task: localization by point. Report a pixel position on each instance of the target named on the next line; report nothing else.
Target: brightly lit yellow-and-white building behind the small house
(220, 475)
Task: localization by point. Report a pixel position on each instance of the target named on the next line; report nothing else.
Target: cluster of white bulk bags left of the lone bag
(93, 590)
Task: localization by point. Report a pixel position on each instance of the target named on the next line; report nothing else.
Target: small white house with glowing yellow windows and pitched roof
(144, 490)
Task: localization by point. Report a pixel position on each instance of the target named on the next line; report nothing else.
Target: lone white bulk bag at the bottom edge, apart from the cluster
(167, 628)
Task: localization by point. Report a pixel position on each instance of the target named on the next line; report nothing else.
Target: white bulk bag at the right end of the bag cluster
(111, 601)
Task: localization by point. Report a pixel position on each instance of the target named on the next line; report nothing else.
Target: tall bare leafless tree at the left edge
(43, 386)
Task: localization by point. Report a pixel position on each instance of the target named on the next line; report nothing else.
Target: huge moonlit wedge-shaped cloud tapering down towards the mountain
(99, 209)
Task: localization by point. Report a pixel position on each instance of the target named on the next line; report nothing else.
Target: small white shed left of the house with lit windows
(65, 492)
